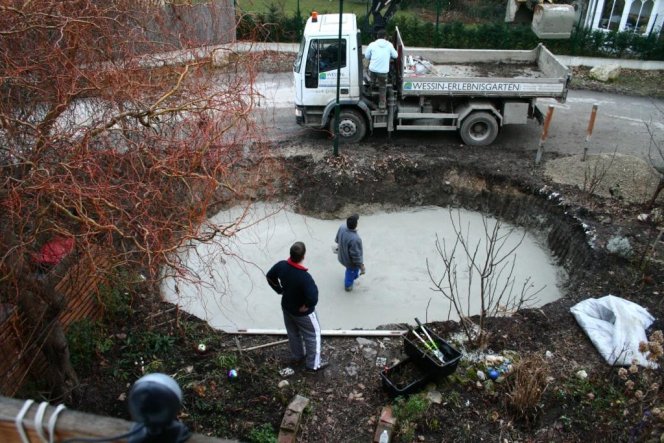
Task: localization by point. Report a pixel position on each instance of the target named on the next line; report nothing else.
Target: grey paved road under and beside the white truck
(620, 125)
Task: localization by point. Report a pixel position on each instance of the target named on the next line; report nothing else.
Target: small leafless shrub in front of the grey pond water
(490, 275)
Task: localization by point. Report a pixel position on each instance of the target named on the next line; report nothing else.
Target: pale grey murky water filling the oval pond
(399, 253)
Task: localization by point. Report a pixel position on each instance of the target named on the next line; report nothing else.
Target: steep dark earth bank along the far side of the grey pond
(332, 191)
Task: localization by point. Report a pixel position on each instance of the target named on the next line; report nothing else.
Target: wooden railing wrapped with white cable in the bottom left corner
(39, 418)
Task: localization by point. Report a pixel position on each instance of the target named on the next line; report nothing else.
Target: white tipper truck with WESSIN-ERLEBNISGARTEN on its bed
(474, 92)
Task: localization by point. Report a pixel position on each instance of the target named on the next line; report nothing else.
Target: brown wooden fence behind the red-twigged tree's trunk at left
(22, 356)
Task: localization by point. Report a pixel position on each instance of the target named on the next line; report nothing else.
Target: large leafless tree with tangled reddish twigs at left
(97, 148)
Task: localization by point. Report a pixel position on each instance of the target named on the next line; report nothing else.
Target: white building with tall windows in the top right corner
(642, 16)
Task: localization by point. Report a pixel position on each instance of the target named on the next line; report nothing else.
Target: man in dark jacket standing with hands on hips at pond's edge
(299, 296)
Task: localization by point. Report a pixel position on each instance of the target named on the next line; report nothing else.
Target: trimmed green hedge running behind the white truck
(275, 27)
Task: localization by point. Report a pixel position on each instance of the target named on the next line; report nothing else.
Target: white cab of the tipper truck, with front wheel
(315, 72)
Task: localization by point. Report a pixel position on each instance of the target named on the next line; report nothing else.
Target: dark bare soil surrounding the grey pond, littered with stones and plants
(347, 397)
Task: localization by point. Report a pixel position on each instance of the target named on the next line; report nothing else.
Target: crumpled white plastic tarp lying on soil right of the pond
(616, 327)
